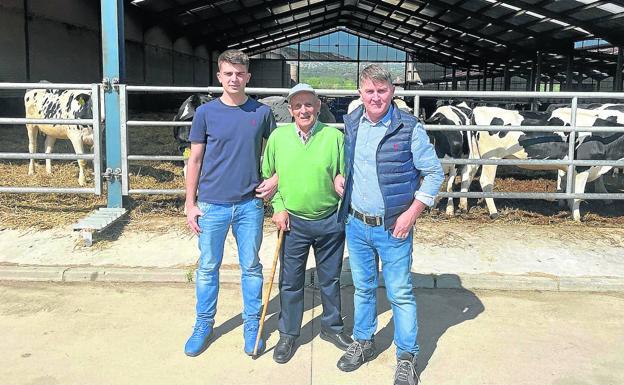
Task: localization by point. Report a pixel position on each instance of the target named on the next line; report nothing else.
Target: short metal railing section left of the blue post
(96, 157)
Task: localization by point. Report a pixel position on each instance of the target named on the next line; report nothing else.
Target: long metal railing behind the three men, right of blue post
(573, 129)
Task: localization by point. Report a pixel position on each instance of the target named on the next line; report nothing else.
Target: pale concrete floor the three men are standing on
(105, 333)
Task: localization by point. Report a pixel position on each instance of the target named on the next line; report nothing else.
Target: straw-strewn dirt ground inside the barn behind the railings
(160, 213)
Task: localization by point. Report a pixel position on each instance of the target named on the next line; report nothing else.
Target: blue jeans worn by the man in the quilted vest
(365, 243)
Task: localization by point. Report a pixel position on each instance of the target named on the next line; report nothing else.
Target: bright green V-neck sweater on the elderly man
(306, 171)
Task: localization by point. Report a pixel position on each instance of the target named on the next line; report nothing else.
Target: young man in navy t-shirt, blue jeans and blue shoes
(223, 171)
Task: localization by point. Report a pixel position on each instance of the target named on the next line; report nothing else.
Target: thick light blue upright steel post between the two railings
(114, 73)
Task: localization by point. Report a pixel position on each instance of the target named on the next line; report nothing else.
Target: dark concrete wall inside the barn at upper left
(60, 40)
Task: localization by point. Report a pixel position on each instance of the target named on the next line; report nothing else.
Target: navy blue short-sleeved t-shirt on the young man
(233, 136)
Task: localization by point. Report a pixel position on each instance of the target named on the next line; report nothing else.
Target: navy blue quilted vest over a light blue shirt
(398, 178)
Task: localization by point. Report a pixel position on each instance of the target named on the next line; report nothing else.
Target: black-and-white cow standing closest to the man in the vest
(451, 144)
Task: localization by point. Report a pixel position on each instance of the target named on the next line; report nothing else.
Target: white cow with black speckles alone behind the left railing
(59, 104)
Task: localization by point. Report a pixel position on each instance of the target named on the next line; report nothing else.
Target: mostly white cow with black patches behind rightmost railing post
(538, 145)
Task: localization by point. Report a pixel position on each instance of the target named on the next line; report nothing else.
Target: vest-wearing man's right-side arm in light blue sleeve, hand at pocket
(426, 161)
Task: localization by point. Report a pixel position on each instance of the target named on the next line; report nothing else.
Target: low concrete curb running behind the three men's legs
(487, 281)
